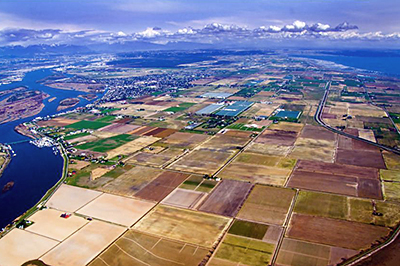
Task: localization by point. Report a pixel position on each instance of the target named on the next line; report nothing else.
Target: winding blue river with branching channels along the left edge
(34, 170)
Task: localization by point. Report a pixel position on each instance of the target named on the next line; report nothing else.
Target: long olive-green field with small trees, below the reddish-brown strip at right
(347, 208)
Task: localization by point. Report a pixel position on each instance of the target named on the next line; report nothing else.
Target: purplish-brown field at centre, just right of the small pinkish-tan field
(226, 198)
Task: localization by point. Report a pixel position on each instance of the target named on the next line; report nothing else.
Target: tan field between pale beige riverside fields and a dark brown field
(130, 182)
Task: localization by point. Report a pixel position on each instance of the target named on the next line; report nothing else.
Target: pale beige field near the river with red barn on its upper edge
(48, 223)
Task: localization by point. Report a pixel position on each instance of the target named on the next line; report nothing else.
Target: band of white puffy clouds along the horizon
(213, 33)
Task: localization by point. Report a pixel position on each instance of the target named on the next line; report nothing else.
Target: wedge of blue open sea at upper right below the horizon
(386, 65)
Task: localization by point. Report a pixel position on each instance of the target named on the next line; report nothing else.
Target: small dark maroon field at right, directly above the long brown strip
(360, 158)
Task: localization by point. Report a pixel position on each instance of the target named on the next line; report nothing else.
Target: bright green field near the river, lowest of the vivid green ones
(104, 145)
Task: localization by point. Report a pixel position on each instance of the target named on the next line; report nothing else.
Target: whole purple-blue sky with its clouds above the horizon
(25, 22)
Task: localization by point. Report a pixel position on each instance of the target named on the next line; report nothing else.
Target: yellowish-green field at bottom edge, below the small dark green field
(246, 251)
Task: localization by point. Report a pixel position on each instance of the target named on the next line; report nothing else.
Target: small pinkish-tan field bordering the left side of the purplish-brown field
(184, 198)
